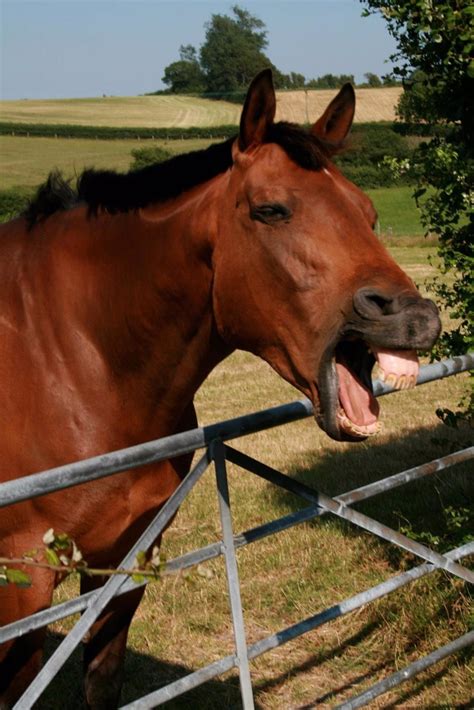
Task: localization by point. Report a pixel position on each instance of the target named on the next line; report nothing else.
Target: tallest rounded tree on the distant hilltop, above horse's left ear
(233, 51)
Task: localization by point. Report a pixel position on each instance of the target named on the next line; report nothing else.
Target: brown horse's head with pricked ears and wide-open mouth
(301, 279)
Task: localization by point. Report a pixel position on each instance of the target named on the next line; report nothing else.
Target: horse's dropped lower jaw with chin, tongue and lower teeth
(347, 409)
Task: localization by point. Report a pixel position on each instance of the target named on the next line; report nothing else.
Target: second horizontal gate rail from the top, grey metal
(73, 606)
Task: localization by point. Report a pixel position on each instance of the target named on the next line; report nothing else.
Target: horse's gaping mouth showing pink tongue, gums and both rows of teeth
(348, 409)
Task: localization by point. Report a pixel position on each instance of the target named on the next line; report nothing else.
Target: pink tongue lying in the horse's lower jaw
(359, 411)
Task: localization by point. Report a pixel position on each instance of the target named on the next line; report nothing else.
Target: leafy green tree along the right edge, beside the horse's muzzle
(435, 44)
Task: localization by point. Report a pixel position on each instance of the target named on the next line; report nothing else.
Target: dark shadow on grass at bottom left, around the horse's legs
(143, 674)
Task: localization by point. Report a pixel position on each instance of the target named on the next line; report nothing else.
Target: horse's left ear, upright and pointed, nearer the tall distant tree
(259, 110)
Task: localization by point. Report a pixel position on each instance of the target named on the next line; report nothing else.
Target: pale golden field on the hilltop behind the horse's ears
(184, 111)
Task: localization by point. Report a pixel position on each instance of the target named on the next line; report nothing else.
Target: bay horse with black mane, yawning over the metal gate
(117, 301)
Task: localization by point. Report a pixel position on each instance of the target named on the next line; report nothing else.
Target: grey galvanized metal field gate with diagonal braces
(217, 452)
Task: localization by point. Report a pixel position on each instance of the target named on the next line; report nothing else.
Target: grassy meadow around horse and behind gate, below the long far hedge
(184, 621)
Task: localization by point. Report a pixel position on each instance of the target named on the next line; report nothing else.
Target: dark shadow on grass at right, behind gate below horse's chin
(421, 504)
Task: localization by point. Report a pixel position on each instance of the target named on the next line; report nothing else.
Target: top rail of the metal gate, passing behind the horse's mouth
(73, 474)
